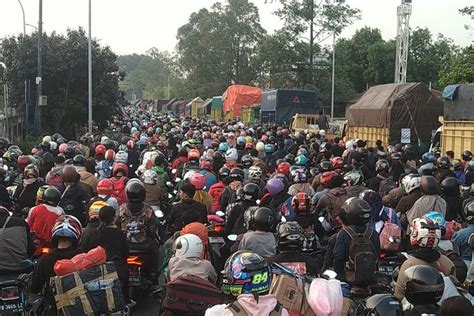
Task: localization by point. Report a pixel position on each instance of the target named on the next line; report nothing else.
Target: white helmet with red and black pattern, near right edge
(424, 233)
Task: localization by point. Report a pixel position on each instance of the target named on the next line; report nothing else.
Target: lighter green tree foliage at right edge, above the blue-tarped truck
(461, 69)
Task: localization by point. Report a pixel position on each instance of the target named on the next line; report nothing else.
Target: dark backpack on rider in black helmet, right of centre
(362, 264)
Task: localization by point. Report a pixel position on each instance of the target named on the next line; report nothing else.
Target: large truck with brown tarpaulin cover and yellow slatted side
(404, 113)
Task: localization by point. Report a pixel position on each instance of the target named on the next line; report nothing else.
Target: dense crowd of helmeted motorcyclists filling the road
(306, 202)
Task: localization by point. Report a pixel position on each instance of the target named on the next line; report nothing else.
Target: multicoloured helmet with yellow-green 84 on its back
(243, 269)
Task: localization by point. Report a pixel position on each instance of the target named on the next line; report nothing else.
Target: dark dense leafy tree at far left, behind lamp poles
(64, 78)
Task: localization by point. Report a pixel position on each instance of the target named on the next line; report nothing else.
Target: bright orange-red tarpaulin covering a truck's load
(237, 96)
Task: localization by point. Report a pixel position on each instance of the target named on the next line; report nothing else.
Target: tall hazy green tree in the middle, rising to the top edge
(217, 47)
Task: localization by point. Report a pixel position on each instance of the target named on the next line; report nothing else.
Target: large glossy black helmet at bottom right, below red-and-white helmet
(424, 285)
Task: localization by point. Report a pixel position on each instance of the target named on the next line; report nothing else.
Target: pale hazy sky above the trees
(133, 26)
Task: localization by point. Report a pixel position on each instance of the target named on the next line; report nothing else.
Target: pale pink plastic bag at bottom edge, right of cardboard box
(325, 297)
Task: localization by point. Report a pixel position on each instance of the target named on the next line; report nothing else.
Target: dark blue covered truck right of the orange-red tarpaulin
(279, 106)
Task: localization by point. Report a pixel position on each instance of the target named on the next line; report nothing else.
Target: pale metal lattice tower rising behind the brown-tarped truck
(403, 38)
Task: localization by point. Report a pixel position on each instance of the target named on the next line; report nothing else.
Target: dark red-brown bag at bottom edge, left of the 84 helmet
(192, 295)
